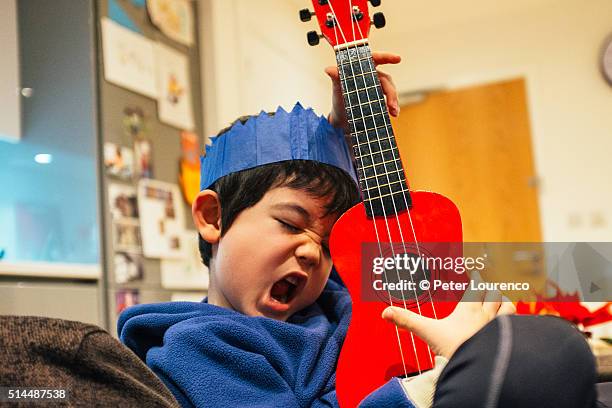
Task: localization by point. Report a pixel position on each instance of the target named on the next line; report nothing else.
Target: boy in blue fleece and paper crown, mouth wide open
(270, 332)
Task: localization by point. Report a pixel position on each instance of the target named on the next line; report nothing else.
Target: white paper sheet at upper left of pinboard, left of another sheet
(129, 59)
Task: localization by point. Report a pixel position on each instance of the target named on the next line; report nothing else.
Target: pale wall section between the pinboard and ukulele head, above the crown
(255, 56)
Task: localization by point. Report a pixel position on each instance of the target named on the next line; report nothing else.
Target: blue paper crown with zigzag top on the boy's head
(298, 135)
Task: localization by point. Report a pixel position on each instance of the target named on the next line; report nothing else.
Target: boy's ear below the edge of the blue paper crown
(206, 212)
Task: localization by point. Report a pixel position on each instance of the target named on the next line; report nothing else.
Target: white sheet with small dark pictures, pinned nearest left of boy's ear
(163, 219)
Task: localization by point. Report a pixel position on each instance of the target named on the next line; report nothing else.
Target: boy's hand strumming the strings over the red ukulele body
(444, 336)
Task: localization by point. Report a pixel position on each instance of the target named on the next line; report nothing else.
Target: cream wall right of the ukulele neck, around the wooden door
(555, 46)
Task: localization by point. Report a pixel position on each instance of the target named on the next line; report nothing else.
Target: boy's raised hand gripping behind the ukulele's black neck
(337, 117)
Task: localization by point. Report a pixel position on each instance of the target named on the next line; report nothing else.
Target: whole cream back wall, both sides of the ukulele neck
(255, 56)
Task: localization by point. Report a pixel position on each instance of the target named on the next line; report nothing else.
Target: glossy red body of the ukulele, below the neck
(371, 355)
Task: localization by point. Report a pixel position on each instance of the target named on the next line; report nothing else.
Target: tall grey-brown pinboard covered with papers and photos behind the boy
(151, 132)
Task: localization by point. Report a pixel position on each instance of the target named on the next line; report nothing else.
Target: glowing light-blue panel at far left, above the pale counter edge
(48, 212)
